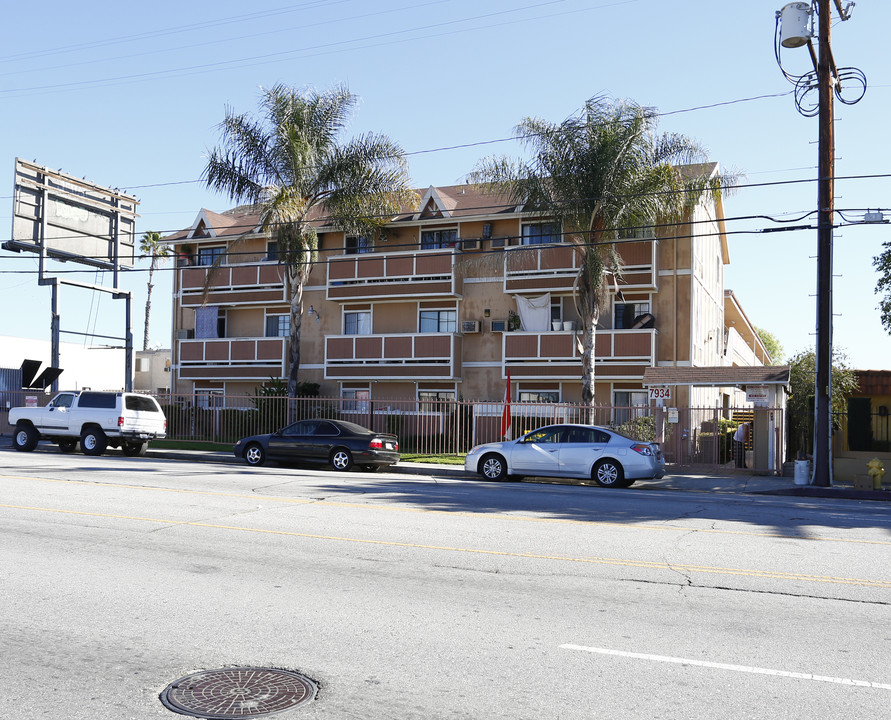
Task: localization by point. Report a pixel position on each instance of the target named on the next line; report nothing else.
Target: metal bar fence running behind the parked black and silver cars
(694, 436)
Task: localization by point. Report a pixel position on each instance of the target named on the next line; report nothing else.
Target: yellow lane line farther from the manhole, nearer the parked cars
(457, 513)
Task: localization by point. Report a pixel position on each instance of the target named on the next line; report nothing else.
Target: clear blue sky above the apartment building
(130, 97)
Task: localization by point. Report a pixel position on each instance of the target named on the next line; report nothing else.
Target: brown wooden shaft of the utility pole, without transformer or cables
(826, 78)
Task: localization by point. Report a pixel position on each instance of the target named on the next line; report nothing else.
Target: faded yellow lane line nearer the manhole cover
(646, 564)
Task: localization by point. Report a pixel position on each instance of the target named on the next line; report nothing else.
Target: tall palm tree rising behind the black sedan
(291, 164)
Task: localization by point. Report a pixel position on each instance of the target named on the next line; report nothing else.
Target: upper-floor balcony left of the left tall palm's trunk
(250, 284)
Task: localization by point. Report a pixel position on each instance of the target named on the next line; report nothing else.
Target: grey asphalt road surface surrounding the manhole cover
(424, 597)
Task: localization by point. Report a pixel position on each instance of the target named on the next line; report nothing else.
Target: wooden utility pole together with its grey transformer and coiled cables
(795, 28)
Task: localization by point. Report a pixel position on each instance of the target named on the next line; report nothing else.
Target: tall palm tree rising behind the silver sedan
(601, 173)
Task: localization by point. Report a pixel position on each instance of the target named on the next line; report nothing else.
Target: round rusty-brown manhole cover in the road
(237, 693)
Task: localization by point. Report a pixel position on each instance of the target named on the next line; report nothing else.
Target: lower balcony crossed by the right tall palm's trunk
(557, 355)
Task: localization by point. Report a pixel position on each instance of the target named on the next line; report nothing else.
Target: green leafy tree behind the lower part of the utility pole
(800, 405)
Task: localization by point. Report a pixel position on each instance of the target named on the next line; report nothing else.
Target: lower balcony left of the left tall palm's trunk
(233, 358)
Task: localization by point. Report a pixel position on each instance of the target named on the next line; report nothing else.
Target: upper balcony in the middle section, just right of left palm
(373, 276)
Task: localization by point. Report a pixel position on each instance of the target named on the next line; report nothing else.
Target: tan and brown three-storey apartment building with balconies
(447, 300)
